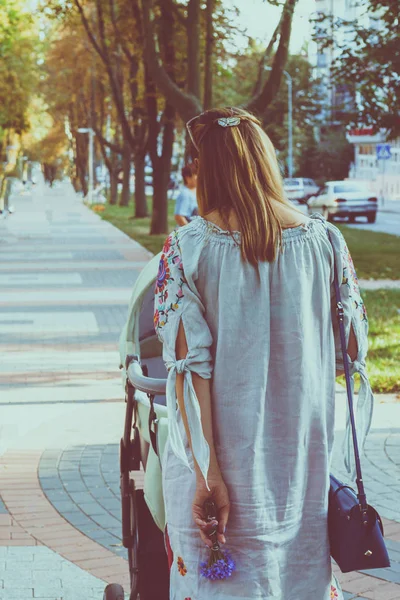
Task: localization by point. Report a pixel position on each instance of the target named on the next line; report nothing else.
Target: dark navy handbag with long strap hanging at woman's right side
(355, 528)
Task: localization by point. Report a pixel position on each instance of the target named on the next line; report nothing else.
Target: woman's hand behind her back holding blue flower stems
(219, 494)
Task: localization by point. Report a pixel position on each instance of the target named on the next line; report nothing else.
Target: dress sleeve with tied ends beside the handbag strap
(355, 316)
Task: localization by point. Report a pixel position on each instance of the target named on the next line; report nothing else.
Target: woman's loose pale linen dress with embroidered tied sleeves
(269, 346)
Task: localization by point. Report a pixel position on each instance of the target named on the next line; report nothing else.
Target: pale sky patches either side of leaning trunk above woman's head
(260, 19)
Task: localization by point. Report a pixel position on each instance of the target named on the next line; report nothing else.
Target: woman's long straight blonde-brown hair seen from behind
(238, 170)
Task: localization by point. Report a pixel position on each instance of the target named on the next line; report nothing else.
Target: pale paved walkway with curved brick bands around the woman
(66, 277)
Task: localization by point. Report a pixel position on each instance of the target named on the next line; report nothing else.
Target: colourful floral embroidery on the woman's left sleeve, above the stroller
(170, 271)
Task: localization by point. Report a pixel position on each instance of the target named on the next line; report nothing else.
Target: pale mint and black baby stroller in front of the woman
(142, 445)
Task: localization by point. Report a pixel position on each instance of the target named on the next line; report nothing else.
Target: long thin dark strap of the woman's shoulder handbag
(340, 318)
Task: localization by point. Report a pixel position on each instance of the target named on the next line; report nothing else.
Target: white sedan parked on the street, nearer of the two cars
(344, 199)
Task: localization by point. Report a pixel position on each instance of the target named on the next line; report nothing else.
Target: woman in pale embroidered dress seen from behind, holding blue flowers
(243, 307)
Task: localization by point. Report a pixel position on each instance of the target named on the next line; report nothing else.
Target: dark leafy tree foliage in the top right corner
(368, 63)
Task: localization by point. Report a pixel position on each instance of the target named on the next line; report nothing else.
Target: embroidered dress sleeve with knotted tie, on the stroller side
(177, 300)
